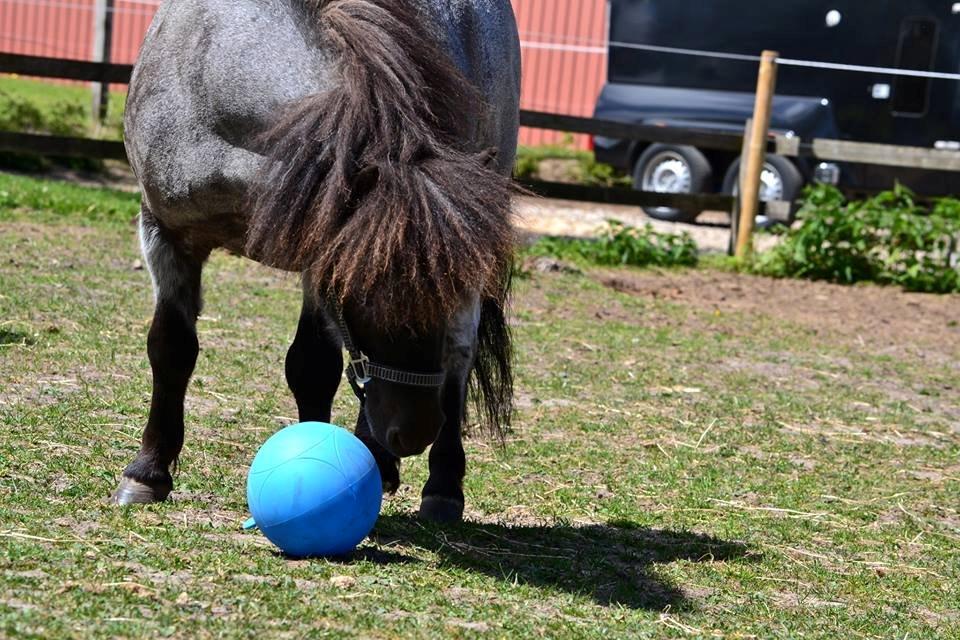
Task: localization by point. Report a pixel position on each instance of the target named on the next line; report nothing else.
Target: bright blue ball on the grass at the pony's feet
(314, 490)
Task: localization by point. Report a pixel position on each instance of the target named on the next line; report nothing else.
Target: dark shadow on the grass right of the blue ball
(612, 563)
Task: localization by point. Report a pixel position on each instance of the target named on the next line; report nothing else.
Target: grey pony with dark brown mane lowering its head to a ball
(367, 145)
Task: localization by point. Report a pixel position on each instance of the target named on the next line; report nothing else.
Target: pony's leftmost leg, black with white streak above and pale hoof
(172, 347)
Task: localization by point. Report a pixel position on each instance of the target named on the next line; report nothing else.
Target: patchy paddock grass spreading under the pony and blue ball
(675, 471)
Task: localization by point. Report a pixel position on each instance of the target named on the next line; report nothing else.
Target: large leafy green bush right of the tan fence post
(889, 239)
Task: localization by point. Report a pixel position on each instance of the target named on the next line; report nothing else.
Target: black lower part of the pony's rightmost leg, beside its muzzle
(442, 499)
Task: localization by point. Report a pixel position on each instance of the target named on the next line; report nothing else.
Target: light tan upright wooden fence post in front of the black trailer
(756, 152)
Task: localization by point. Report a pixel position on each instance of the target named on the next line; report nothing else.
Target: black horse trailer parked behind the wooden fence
(705, 88)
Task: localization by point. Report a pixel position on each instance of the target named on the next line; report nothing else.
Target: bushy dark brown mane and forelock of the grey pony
(368, 185)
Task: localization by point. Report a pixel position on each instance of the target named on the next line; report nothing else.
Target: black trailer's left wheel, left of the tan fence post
(672, 169)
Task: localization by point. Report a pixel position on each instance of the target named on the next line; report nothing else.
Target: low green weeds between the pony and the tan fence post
(622, 245)
